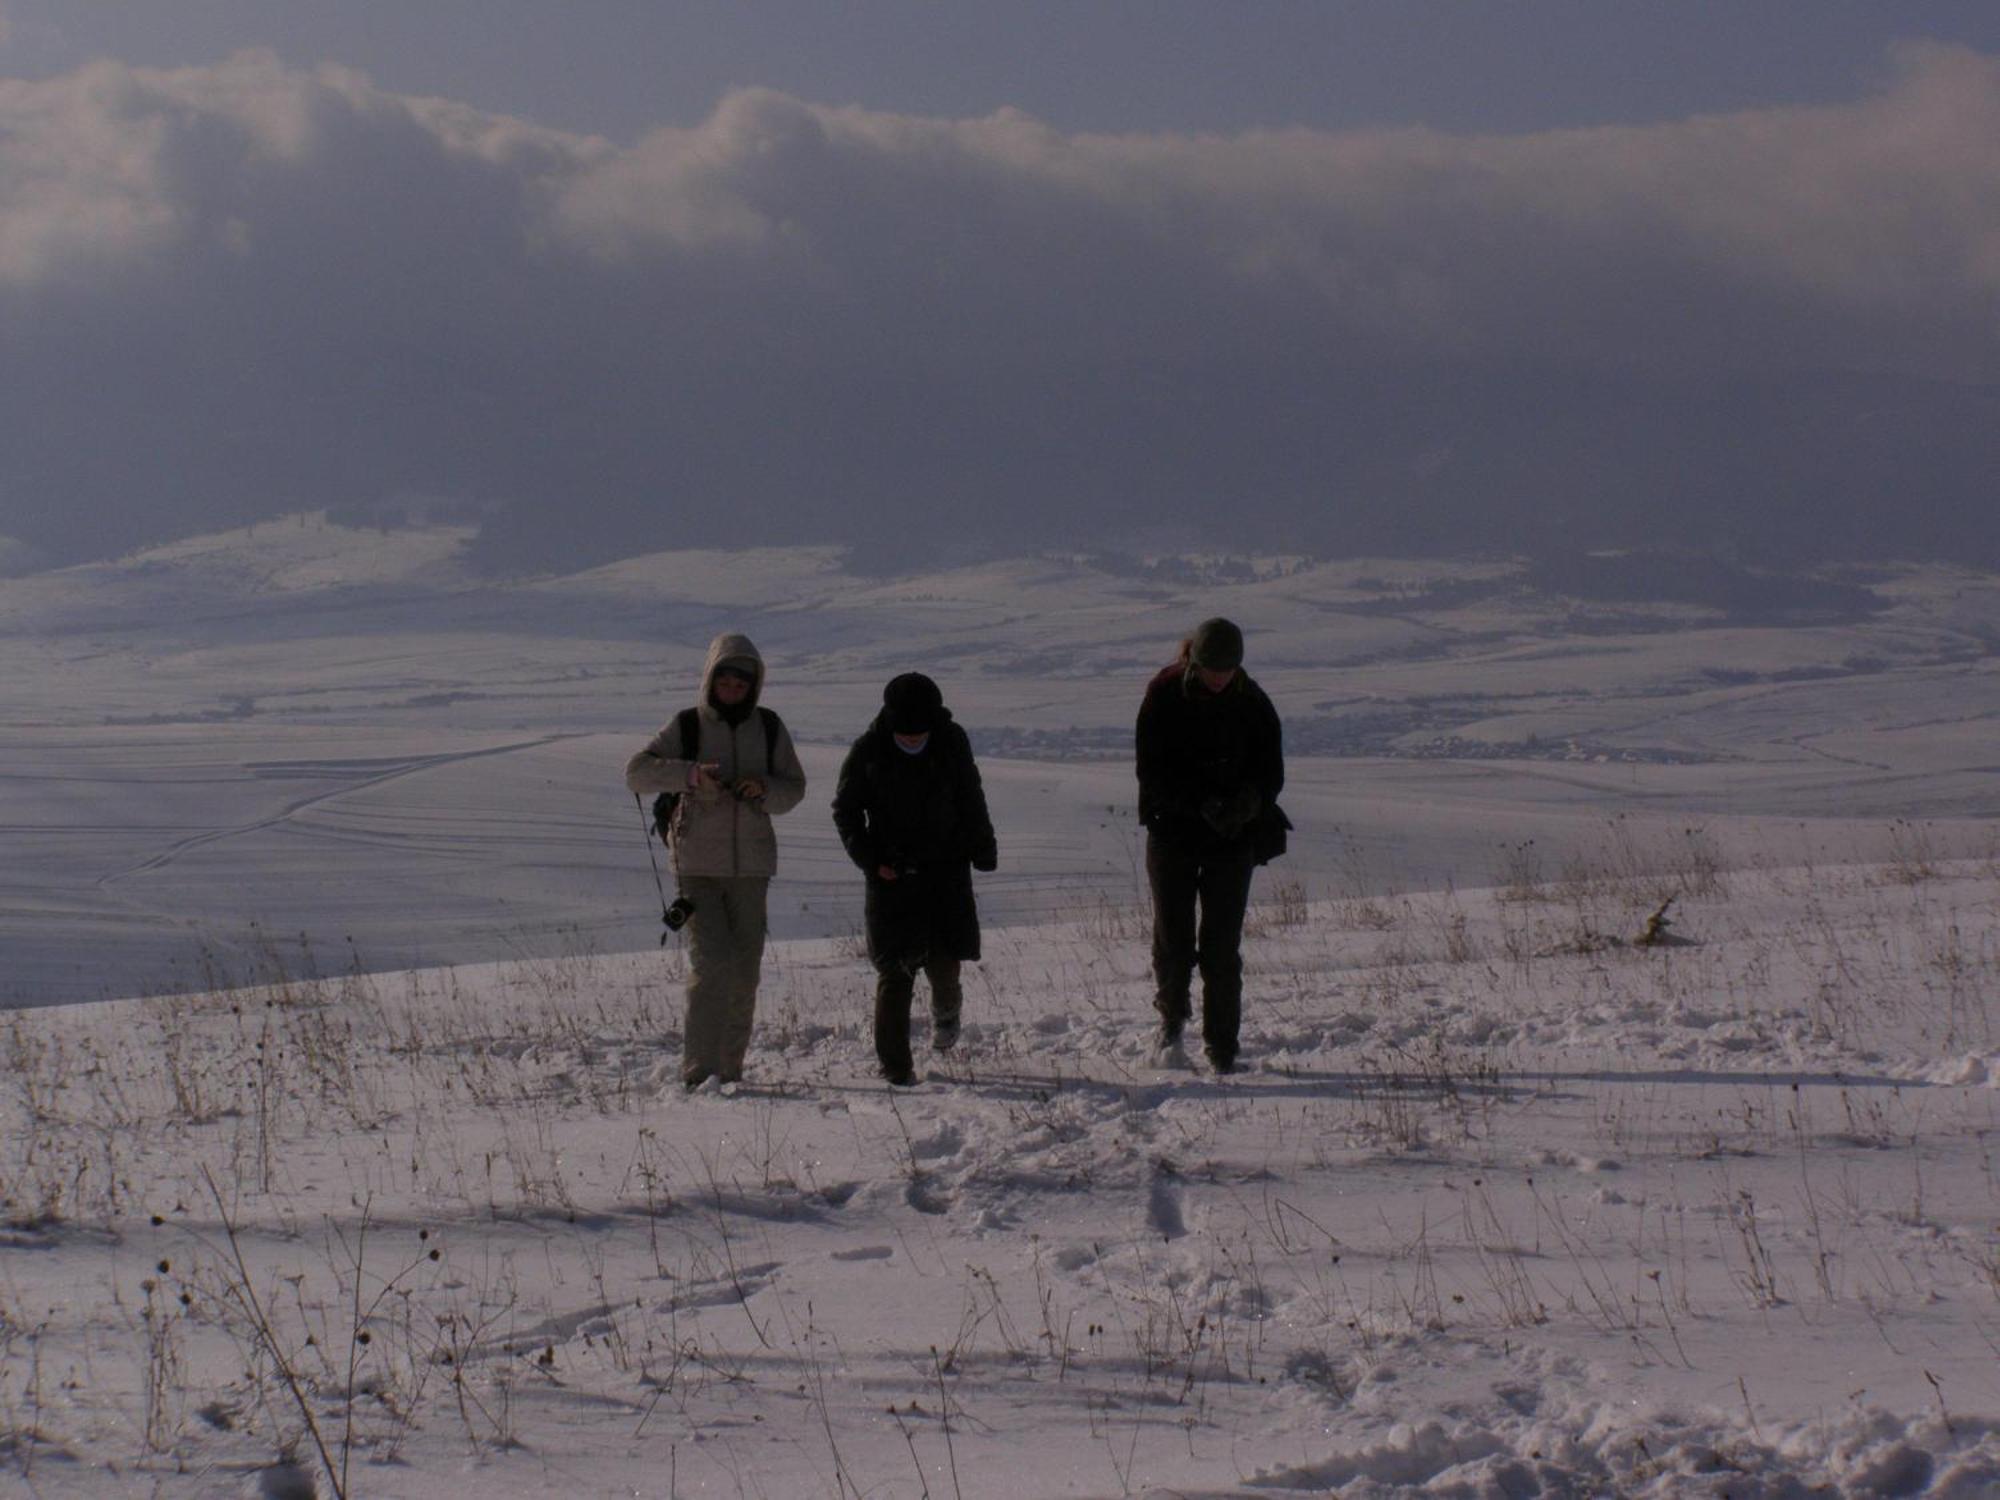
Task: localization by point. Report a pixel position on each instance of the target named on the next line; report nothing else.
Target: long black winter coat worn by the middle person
(925, 817)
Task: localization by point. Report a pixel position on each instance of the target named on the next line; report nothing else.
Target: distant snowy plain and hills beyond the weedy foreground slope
(351, 737)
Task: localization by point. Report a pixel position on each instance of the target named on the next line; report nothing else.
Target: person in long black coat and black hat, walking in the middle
(913, 815)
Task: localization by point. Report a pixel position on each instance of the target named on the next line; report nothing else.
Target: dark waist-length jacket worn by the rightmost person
(1207, 751)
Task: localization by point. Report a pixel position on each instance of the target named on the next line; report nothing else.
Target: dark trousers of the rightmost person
(1199, 923)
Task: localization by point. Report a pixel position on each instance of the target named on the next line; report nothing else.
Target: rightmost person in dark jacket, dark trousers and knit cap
(1211, 765)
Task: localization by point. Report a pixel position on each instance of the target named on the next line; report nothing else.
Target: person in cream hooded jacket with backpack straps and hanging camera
(725, 849)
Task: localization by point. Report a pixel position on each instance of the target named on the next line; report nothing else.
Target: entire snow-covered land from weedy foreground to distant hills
(1503, 1205)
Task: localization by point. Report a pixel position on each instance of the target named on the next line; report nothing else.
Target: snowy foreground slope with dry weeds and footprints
(1505, 1205)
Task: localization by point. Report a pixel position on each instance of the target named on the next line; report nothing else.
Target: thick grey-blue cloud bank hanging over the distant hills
(245, 289)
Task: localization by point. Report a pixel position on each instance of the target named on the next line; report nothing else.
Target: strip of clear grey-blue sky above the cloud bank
(625, 67)
